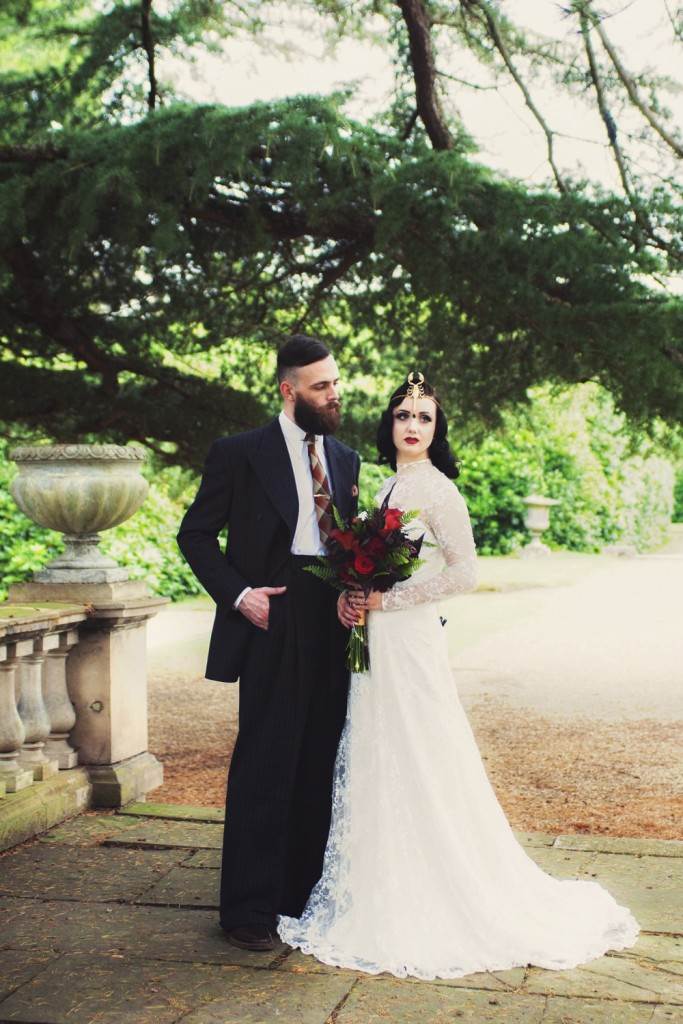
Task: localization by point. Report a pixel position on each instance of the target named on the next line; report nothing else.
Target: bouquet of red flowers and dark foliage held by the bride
(372, 552)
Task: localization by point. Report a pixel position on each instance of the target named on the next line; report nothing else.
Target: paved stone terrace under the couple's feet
(110, 919)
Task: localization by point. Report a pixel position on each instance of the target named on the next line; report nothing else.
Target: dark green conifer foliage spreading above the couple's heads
(153, 258)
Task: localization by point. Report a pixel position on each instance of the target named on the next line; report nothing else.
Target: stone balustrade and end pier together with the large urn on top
(73, 647)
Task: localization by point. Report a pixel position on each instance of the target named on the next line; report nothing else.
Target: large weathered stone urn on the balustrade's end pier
(79, 490)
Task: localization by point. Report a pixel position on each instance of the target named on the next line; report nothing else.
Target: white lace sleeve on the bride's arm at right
(449, 521)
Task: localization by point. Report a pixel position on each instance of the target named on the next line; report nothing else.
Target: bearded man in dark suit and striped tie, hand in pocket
(277, 629)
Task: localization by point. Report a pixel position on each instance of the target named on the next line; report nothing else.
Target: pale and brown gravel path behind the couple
(571, 673)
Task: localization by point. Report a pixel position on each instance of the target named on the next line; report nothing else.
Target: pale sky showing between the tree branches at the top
(505, 131)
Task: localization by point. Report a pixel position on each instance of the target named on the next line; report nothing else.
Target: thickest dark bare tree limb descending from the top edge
(424, 73)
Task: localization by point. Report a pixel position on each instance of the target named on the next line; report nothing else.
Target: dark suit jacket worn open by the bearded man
(248, 484)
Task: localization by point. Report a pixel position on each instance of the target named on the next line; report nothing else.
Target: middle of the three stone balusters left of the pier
(32, 709)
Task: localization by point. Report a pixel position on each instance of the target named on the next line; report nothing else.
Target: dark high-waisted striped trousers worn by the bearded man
(293, 695)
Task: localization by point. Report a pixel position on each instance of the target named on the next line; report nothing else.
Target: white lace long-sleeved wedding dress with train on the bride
(423, 875)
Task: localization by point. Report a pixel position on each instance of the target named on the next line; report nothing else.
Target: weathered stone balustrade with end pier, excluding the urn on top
(73, 711)
